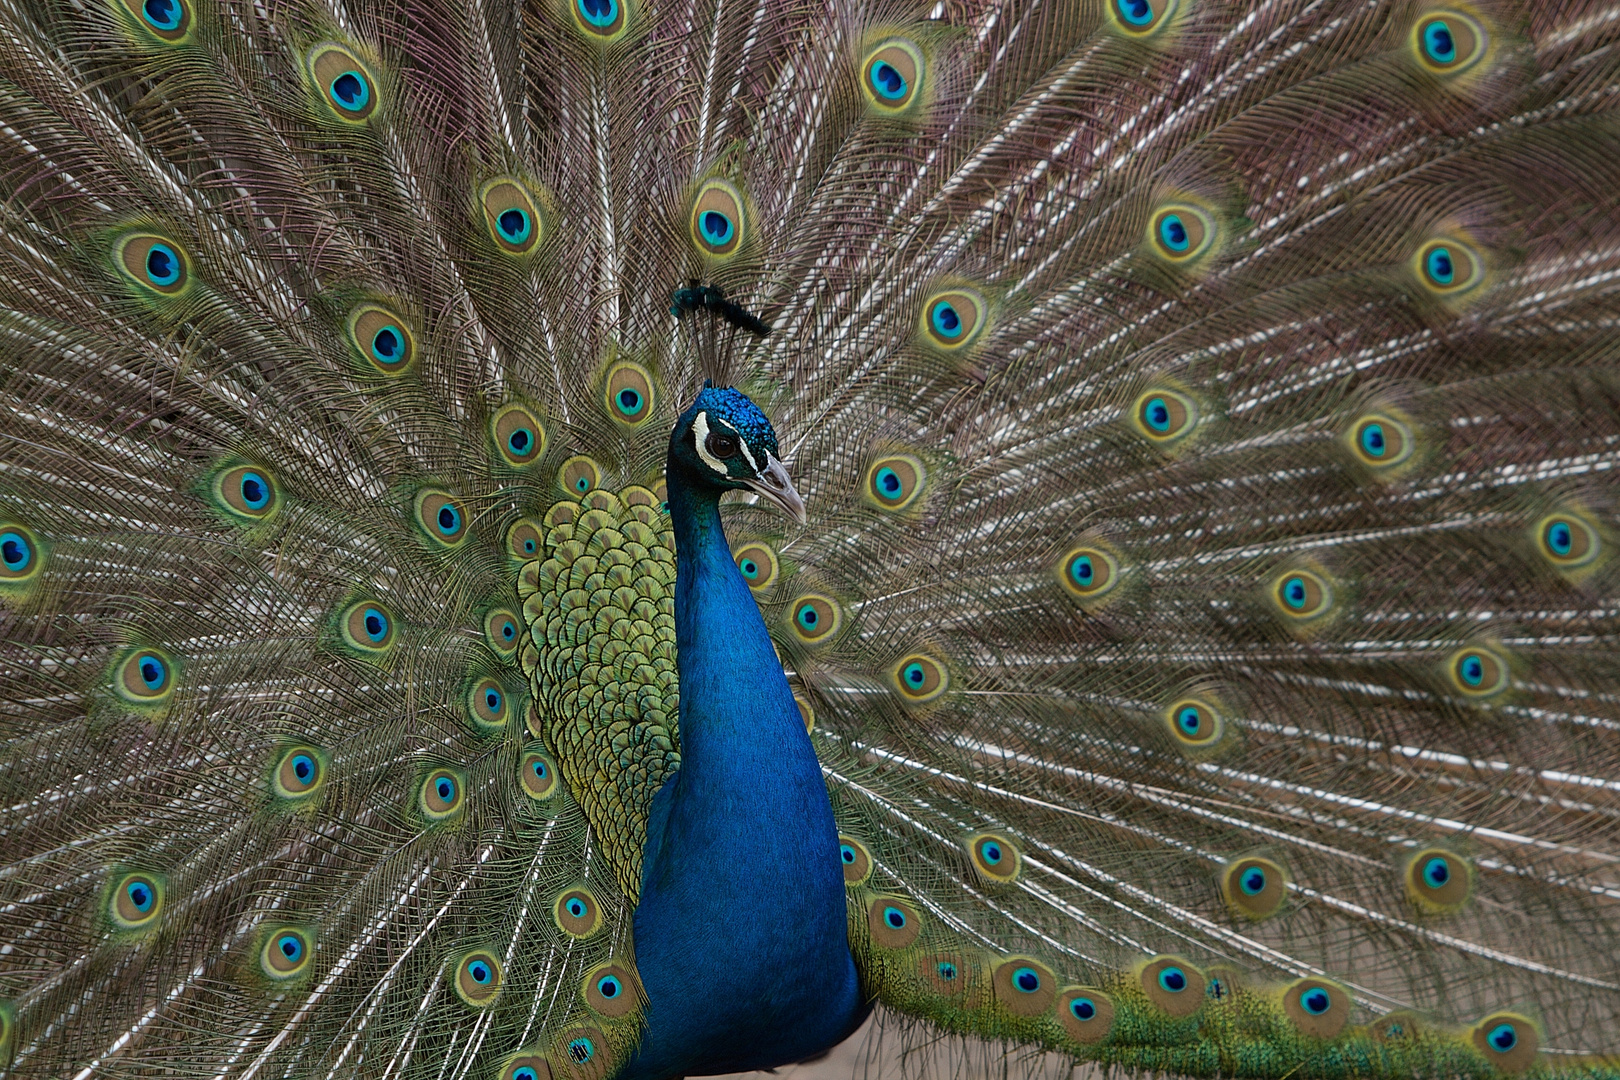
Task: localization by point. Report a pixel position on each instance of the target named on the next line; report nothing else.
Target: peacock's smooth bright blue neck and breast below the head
(741, 932)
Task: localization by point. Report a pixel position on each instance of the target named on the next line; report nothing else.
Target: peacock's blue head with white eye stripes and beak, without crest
(725, 443)
